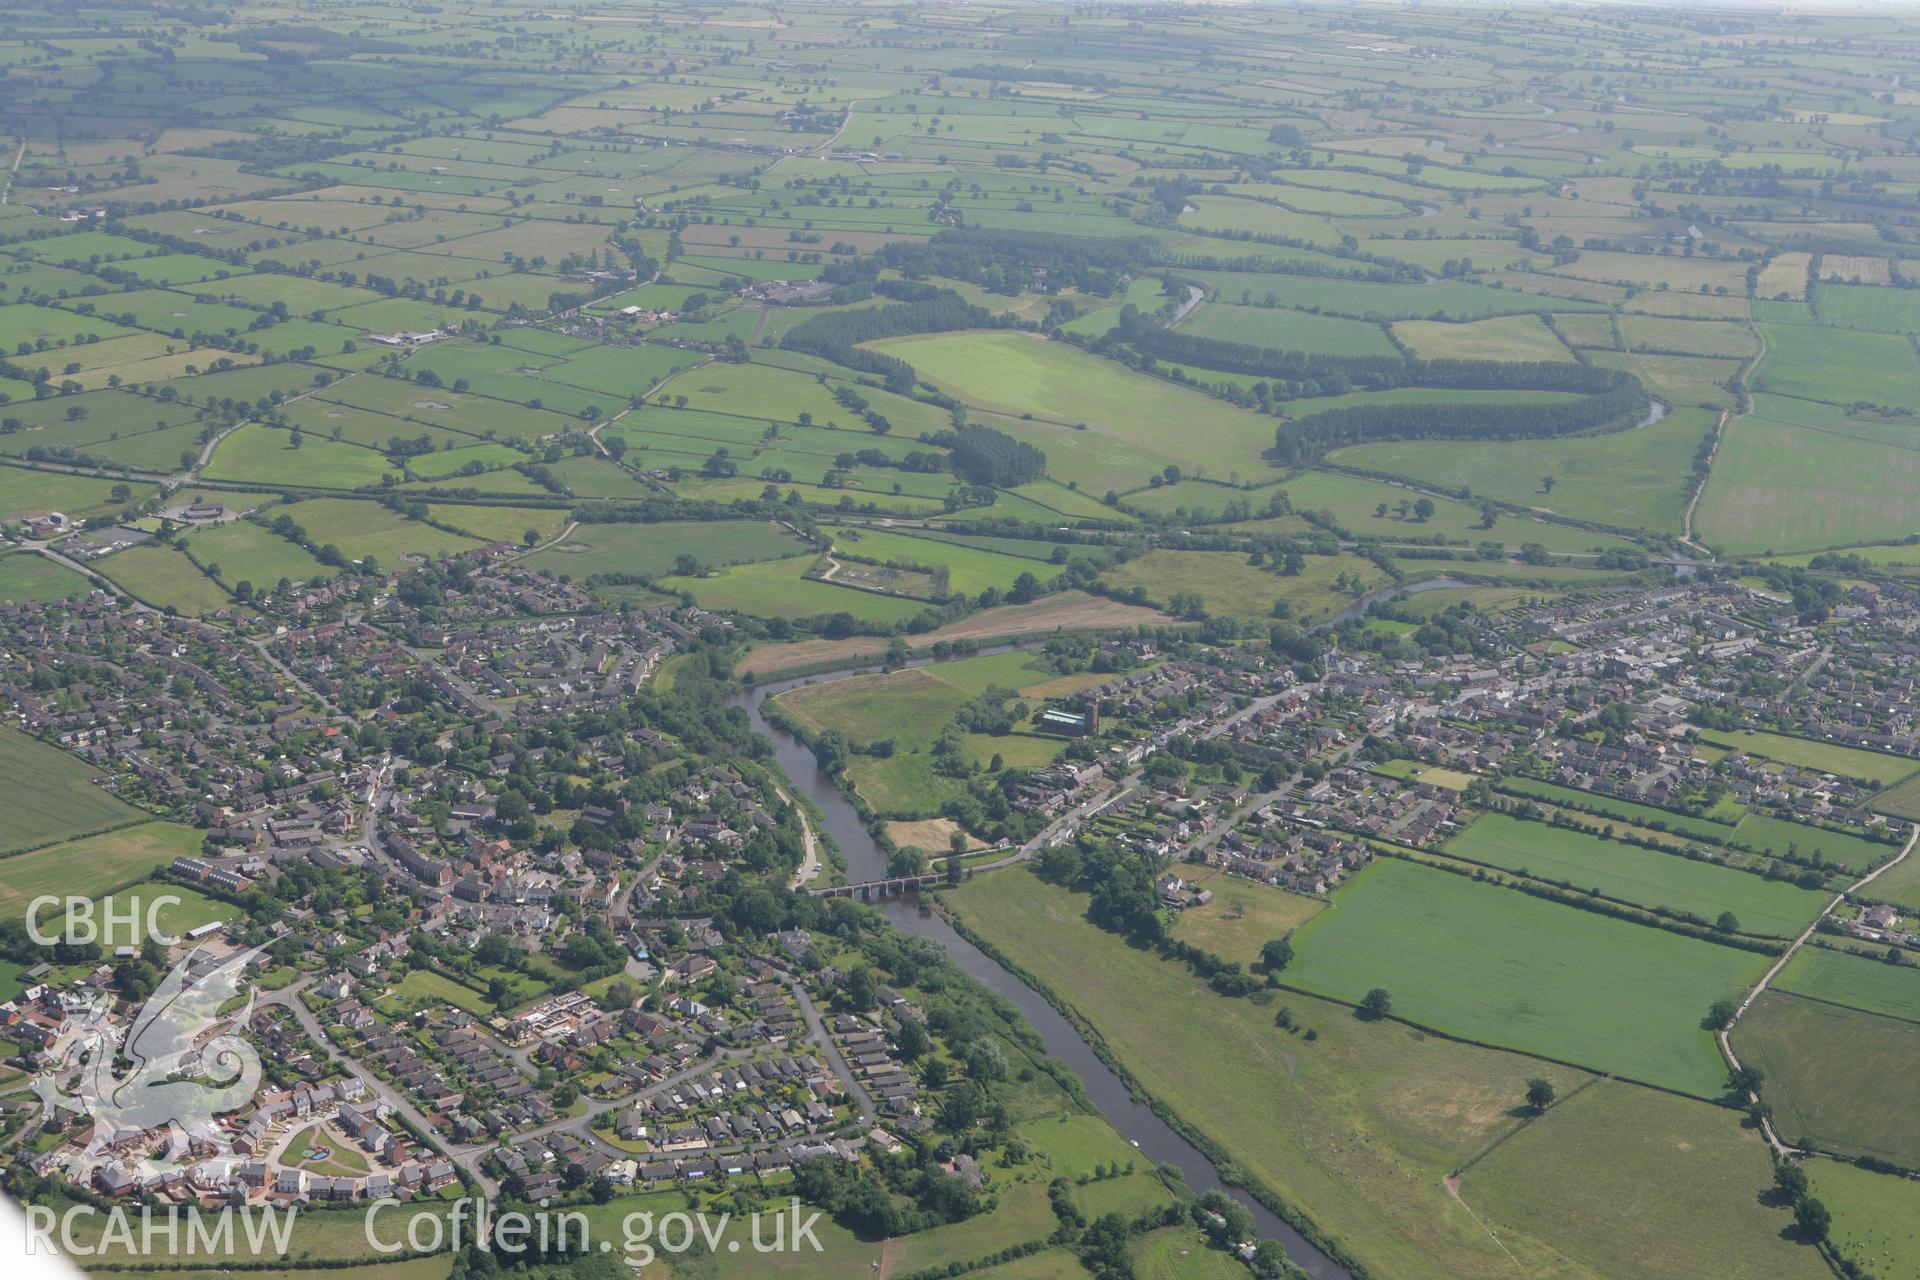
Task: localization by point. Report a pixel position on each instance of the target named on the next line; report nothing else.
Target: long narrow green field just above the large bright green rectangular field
(1637, 876)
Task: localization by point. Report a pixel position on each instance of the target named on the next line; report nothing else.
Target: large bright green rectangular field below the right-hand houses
(1502, 968)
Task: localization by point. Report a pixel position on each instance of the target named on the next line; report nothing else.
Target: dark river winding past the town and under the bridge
(1134, 1120)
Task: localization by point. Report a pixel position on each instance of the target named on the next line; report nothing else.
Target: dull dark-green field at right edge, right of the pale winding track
(1838, 1078)
